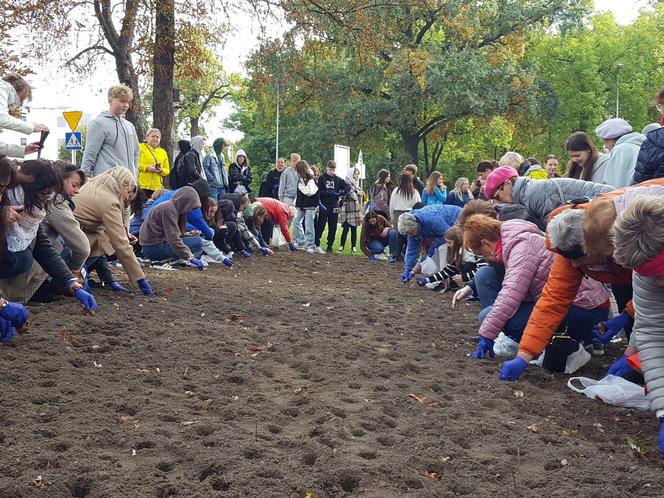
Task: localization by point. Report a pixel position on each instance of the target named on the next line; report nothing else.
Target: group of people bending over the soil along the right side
(540, 256)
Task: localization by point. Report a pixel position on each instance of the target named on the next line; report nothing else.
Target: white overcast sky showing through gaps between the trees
(65, 92)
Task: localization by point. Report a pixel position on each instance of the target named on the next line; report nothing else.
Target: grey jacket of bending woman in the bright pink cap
(541, 197)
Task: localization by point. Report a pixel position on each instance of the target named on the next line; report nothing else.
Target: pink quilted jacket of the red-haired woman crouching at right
(527, 265)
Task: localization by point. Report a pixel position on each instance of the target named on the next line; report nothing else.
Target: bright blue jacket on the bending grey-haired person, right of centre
(434, 221)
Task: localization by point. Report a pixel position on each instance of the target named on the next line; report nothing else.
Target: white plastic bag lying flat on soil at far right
(613, 391)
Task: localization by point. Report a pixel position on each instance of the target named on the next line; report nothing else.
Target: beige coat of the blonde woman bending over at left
(104, 220)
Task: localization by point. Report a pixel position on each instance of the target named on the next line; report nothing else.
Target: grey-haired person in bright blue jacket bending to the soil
(429, 222)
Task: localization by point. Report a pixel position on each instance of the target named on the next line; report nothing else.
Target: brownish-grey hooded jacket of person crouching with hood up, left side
(162, 224)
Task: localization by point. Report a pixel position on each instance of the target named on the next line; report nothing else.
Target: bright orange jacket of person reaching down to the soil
(564, 282)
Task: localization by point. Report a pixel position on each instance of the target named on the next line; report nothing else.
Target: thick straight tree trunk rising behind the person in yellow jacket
(164, 62)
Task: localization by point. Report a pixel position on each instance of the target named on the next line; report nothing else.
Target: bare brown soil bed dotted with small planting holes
(297, 376)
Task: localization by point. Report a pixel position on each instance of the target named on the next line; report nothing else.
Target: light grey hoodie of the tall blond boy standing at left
(110, 141)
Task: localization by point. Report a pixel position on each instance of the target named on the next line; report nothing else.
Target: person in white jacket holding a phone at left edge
(14, 91)
